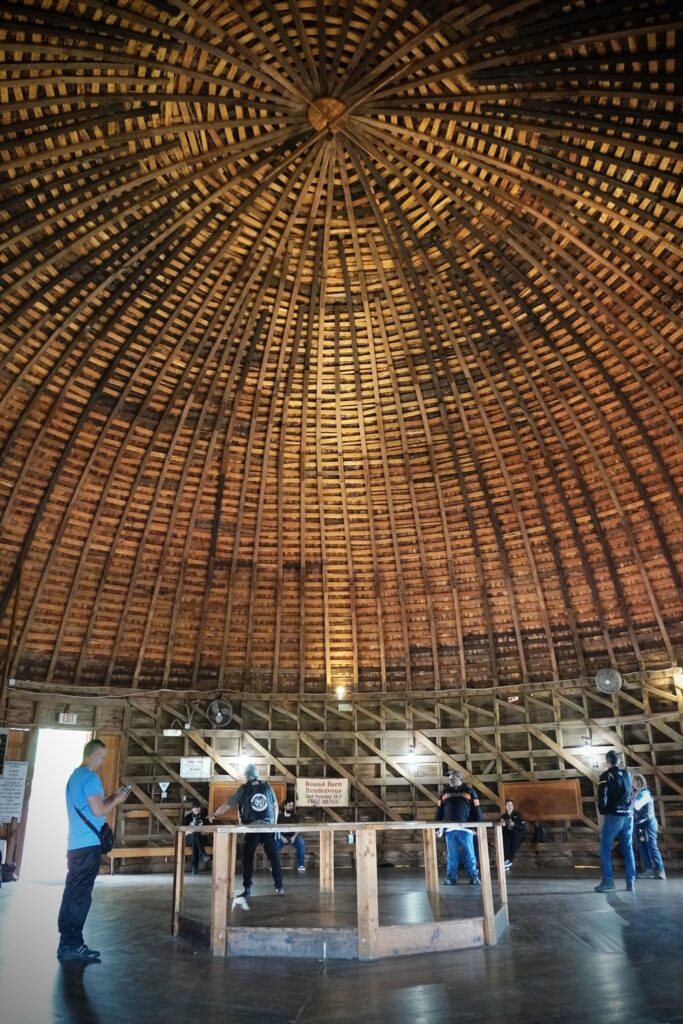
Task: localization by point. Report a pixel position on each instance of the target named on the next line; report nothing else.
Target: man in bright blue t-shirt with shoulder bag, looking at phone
(86, 794)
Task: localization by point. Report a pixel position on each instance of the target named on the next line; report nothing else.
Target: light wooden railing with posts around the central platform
(374, 941)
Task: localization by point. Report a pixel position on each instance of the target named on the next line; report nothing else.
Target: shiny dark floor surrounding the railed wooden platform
(571, 956)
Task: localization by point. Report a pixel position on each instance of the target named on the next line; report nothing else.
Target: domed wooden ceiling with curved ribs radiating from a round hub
(340, 343)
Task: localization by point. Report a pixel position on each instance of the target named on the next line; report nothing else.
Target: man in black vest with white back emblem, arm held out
(258, 804)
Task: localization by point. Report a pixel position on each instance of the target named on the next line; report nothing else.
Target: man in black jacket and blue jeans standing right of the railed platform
(615, 806)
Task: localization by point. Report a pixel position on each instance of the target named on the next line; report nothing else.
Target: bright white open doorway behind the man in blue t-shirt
(58, 753)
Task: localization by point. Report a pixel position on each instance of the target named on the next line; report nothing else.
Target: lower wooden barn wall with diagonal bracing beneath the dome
(395, 749)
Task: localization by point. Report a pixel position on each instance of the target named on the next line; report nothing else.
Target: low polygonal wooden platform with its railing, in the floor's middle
(364, 914)
